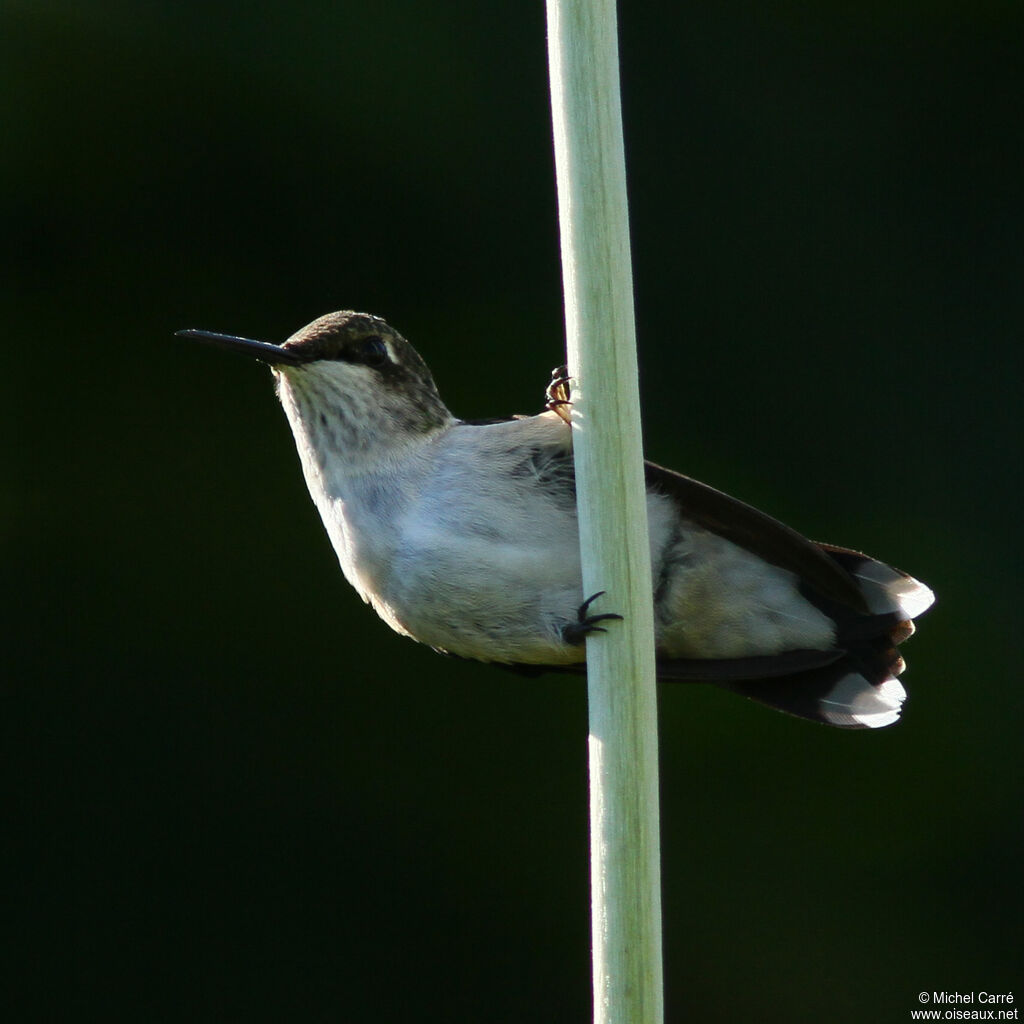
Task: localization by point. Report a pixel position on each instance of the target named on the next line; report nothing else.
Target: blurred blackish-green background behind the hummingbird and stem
(231, 792)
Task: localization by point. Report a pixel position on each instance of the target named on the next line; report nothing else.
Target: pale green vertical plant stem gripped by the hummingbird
(612, 496)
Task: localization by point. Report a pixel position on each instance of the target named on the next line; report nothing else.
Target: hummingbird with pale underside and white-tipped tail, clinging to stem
(463, 535)
